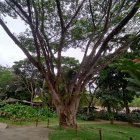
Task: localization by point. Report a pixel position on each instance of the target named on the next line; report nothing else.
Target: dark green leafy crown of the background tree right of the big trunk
(114, 82)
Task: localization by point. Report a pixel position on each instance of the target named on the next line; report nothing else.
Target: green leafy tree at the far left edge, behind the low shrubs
(11, 86)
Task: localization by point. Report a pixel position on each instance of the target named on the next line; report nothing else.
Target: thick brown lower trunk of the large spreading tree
(67, 113)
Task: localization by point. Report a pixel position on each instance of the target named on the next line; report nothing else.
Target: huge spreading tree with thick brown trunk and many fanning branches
(53, 26)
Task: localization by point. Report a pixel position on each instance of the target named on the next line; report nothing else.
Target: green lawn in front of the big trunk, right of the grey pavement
(91, 132)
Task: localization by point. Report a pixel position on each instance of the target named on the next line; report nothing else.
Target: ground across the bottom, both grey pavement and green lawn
(16, 132)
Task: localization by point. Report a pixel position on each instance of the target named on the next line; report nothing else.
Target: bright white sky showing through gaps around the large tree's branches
(9, 51)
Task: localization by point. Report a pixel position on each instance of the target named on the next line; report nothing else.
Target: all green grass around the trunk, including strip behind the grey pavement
(86, 130)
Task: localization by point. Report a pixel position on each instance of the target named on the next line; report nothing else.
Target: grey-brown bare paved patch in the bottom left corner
(24, 133)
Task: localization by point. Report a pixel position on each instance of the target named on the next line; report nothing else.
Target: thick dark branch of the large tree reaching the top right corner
(90, 64)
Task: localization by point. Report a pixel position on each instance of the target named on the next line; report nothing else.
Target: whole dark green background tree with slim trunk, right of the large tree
(113, 91)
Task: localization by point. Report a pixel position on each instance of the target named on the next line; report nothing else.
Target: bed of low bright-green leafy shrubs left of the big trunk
(24, 112)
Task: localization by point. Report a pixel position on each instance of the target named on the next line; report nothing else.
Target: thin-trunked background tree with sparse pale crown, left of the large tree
(29, 77)
